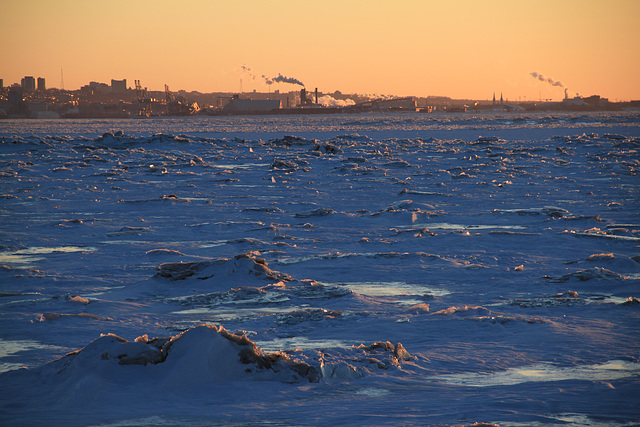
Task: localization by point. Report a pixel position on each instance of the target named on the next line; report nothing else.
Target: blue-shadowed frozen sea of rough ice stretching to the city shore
(362, 269)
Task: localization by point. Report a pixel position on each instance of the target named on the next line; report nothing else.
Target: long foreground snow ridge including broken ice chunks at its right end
(208, 354)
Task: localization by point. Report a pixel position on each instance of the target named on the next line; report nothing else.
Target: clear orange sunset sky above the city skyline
(456, 48)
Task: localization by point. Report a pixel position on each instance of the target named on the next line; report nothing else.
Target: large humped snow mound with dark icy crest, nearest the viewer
(199, 355)
